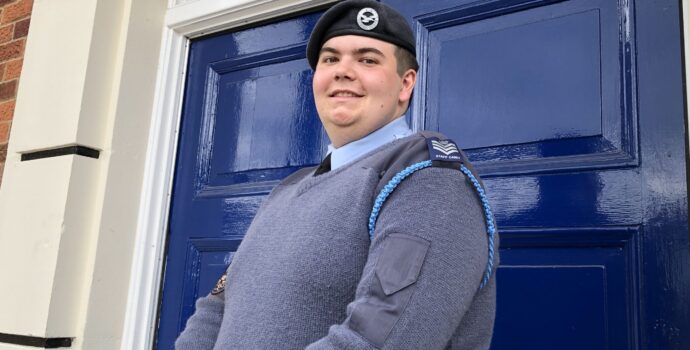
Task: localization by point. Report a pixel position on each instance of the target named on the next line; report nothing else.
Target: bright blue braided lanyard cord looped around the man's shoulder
(399, 177)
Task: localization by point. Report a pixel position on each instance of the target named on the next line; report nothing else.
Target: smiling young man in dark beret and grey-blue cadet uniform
(348, 255)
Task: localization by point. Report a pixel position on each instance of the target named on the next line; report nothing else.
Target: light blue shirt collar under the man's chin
(392, 131)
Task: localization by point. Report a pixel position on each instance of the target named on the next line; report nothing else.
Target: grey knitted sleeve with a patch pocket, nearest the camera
(425, 265)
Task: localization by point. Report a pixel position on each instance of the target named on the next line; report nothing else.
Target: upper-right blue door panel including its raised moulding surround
(555, 68)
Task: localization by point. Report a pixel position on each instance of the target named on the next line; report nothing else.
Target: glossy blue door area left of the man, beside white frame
(248, 121)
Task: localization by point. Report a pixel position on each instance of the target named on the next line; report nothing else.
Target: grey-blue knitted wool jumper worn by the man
(308, 276)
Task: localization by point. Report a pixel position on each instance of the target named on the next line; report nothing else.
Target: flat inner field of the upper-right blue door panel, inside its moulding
(481, 69)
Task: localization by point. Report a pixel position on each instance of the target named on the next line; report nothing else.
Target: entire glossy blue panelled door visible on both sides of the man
(572, 111)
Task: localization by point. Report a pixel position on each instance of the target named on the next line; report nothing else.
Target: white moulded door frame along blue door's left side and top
(184, 19)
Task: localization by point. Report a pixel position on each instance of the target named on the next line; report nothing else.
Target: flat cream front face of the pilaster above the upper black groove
(54, 70)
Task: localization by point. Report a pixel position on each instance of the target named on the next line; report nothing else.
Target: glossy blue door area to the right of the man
(572, 111)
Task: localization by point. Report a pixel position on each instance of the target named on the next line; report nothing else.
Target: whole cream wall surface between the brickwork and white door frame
(67, 223)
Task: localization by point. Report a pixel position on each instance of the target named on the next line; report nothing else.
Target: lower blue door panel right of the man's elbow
(567, 288)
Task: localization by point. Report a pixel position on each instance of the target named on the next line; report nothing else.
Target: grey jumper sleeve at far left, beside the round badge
(202, 328)
